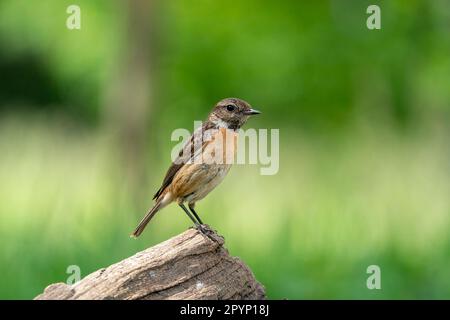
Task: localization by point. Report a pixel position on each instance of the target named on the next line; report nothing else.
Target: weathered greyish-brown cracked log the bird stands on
(188, 266)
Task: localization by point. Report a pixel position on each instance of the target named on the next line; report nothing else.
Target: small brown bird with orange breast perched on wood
(191, 176)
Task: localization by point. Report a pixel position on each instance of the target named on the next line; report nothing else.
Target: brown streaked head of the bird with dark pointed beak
(231, 113)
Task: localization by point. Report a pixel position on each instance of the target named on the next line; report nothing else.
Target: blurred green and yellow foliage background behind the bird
(86, 117)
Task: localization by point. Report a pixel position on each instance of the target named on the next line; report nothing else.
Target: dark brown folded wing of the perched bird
(189, 150)
